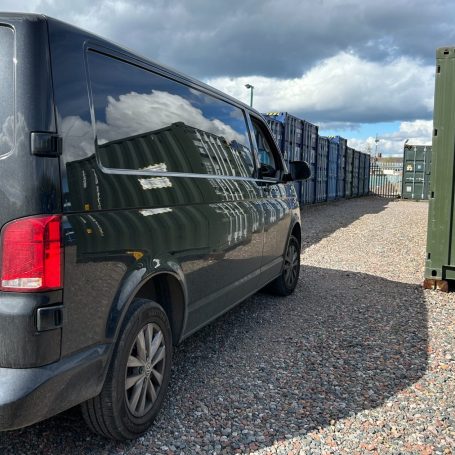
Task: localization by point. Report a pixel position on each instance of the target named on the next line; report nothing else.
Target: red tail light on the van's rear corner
(31, 254)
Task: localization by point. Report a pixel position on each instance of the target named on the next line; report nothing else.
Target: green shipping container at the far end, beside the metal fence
(416, 172)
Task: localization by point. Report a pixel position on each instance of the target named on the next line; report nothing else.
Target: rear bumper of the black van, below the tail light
(29, 395)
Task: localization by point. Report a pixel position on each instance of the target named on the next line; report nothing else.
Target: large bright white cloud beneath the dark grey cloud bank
(344, 88)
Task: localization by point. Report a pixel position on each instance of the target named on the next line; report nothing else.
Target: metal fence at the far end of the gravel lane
(386, 180)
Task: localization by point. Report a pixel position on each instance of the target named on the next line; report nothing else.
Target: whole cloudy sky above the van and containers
(359, 68)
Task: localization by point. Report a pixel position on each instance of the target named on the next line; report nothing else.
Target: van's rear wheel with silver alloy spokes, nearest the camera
(138, 375)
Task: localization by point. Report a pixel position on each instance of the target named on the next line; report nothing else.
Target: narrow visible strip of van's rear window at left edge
(6, 89)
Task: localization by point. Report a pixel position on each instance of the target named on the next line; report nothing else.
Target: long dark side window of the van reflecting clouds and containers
(145, 121)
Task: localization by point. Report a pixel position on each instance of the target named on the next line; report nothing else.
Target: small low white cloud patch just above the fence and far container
(418, 132)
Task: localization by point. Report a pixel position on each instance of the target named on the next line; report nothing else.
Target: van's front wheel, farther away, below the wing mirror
(287, 281)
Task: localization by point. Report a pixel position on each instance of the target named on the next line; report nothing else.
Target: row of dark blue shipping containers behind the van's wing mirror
(337, 171)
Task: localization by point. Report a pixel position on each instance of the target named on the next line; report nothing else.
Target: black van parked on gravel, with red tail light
(136, 206)
